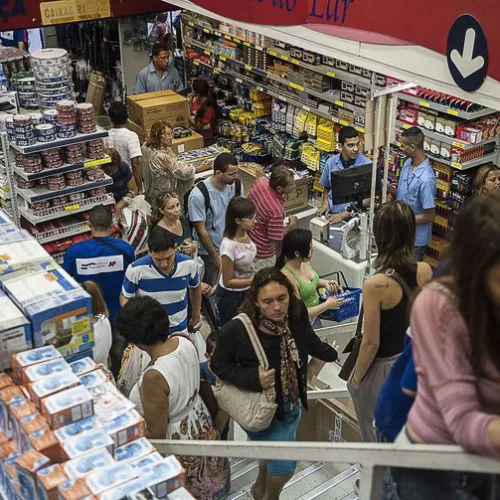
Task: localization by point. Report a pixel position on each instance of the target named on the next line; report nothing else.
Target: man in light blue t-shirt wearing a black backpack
(207, 206)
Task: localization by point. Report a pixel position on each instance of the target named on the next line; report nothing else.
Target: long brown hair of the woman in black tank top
(394, 229)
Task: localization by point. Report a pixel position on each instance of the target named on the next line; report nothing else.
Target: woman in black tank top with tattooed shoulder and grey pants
(386, 298)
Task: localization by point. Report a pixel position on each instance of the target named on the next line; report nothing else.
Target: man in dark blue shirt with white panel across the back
(102, 259)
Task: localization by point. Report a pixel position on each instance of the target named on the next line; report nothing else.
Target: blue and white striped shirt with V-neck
(143, 277)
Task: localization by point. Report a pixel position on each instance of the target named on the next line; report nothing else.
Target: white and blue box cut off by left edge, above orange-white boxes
(15, 331)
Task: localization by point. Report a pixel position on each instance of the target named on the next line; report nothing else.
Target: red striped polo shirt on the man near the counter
(269, 218)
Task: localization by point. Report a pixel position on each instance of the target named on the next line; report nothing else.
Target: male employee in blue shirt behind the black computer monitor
(348, 157)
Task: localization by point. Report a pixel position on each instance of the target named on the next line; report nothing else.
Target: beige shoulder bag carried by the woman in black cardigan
(253, 411)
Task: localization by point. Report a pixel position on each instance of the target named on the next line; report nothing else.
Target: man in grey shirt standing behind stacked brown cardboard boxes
(160, 74)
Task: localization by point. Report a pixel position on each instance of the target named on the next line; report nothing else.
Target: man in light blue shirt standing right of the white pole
(417, 187)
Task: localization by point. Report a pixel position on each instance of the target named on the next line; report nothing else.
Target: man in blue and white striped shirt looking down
(170, 278)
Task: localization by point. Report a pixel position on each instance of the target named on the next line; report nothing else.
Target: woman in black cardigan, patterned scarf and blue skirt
(282, 325)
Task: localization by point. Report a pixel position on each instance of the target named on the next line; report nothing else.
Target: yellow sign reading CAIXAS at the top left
(68, 11)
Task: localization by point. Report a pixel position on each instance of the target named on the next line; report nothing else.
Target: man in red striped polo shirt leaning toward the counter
(268, 198)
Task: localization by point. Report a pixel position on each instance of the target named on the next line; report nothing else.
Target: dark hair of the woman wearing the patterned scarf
(260, 280)
